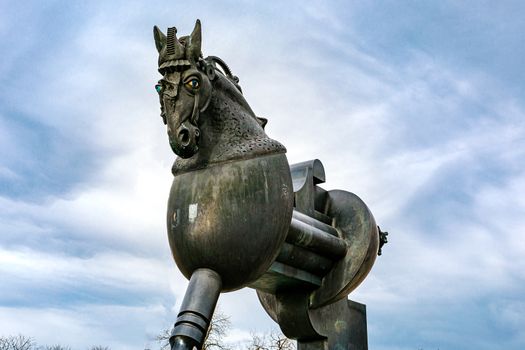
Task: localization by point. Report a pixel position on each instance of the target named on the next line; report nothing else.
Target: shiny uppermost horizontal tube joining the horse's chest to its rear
(316, 240)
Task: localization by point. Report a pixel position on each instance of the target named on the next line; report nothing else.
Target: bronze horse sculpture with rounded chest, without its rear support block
(238, 215)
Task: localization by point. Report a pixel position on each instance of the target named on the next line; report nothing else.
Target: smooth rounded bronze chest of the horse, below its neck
(231, 217)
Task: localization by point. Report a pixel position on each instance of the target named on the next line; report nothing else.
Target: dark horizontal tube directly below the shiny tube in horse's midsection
(304, 259)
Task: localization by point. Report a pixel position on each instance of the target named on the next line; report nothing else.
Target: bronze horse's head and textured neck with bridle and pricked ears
(197, 97)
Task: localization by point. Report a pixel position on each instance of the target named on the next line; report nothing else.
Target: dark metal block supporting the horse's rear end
(344, 325)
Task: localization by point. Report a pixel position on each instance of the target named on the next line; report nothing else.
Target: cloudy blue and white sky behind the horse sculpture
(417, 107)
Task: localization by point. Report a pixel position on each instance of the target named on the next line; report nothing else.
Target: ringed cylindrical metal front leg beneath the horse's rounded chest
(196, 310)
